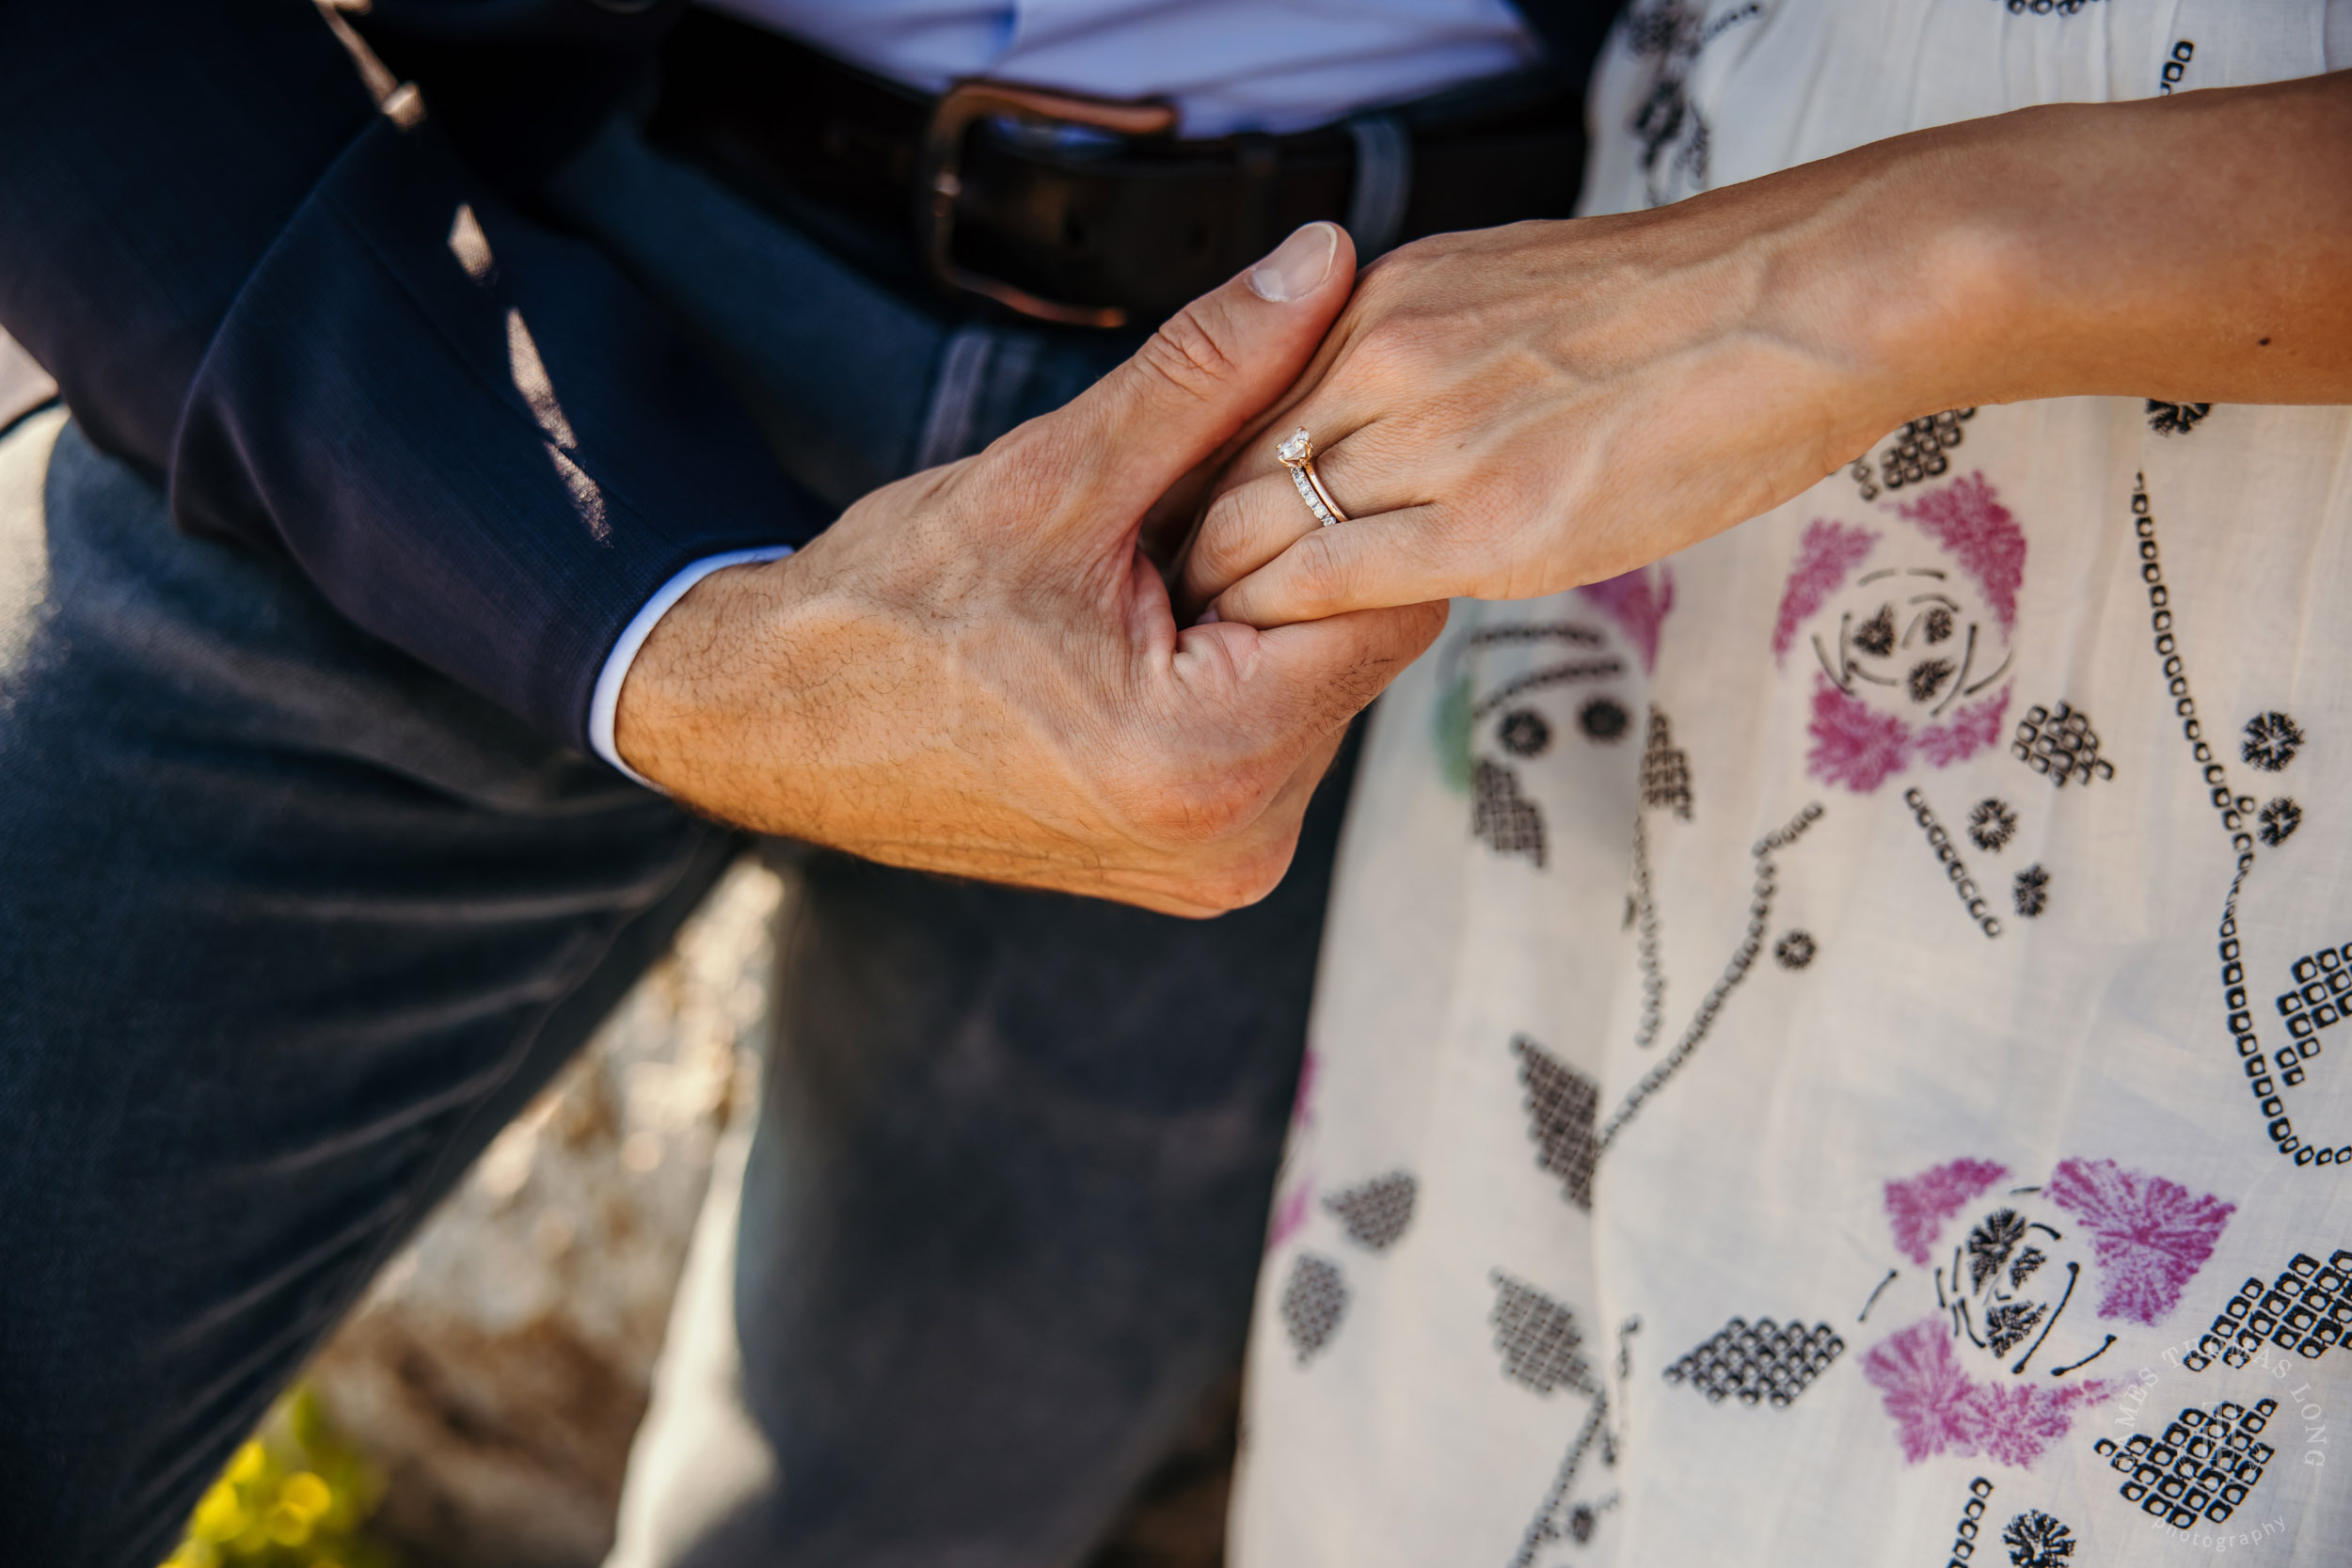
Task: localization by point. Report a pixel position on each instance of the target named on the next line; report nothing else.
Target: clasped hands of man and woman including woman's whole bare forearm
(982, 669)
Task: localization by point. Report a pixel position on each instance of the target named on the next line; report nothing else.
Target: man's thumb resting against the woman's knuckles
(1210, 370)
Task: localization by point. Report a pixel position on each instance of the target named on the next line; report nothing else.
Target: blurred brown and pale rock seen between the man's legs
(502, 1362)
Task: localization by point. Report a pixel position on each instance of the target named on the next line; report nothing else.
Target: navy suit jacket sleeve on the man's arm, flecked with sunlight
(340, 337)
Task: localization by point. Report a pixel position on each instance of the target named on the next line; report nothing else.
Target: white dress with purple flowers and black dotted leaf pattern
(1829, 1047)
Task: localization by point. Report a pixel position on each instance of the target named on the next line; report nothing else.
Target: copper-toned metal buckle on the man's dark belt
(942, 180)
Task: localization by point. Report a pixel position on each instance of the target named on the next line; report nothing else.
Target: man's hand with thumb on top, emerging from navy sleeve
(977, 671)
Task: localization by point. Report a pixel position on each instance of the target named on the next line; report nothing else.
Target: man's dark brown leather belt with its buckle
(1083, 210)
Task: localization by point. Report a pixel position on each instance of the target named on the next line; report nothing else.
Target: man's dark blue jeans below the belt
(290, 925)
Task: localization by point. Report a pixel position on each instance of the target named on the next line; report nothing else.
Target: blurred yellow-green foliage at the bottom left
(295, 1496)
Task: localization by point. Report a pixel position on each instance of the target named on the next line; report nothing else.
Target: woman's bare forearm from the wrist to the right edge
(2193, 248)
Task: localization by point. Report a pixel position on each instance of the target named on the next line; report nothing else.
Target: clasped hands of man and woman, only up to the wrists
(982, 669)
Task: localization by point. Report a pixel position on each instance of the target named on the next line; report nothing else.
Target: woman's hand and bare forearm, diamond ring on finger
(1523, 410)
